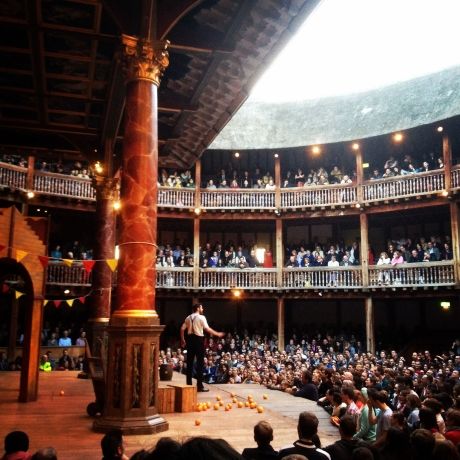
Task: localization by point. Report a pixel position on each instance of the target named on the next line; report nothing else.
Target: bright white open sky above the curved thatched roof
(350, 46)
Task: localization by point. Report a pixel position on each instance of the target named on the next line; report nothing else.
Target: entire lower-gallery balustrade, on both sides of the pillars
(429, 275)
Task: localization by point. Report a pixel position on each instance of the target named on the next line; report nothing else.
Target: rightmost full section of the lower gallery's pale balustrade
(409, 275)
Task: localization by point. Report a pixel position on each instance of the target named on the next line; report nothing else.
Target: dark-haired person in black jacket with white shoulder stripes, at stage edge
(307, 429)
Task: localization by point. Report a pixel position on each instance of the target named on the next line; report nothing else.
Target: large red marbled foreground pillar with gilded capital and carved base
(134, 329)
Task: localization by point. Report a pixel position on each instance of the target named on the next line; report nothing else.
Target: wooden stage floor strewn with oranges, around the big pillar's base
(62, 422)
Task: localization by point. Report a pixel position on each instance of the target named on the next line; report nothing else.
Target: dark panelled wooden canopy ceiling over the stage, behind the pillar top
(61, 86)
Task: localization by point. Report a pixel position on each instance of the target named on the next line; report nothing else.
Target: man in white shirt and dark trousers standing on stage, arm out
(196, 324)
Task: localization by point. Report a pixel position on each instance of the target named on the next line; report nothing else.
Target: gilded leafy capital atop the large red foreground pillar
(141, 61)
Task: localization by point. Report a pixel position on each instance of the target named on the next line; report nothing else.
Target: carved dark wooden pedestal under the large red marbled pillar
(132, 374)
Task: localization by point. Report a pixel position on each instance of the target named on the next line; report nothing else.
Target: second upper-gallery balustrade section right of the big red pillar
(237, 199)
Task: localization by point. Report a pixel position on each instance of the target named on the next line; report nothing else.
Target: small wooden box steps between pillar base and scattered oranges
(176, 398)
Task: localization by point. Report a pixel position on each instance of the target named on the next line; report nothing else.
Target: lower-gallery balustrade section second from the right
(322, 277)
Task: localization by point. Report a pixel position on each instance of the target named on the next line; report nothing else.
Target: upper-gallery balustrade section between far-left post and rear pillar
(64, 185)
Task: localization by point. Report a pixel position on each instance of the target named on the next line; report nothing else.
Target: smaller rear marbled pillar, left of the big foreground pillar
(104, 249)
